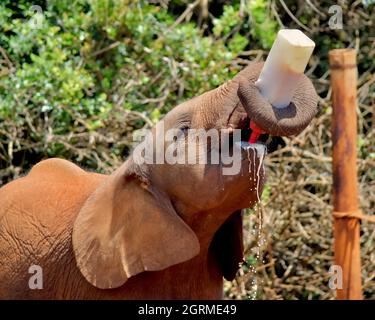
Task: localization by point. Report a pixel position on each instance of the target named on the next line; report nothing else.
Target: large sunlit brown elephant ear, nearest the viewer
(126, 227)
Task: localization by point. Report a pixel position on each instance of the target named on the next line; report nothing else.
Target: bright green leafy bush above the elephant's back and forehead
(92, 59)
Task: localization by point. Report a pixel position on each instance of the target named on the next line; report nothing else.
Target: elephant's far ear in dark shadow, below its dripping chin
(227, 245)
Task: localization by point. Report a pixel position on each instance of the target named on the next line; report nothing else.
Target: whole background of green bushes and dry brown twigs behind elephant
(92, 72)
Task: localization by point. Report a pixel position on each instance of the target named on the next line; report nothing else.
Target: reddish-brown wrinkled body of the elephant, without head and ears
(36, 229)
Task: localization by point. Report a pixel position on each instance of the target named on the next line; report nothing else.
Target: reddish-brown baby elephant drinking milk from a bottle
(152, 229)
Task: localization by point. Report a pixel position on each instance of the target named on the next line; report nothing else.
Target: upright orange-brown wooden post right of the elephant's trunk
(345, 192)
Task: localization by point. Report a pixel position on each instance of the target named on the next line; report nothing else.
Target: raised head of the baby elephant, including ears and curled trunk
(148, 216)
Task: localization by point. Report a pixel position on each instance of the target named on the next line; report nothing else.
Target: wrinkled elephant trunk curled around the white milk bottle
(287, 121)
